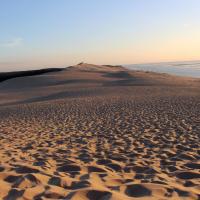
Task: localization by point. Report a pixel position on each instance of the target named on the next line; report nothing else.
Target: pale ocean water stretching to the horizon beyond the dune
(189, 68)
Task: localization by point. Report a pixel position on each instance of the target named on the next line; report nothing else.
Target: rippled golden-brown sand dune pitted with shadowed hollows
(100, 133)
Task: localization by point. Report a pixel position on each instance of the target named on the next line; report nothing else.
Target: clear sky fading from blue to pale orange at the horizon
(59, 33)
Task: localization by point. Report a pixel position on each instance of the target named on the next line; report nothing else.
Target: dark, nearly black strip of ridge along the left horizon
(9, 75)
